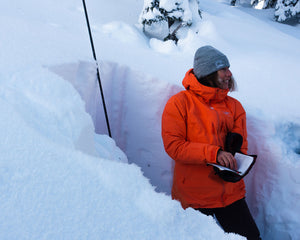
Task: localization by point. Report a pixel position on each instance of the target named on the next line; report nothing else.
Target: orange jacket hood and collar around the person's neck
(191, 83)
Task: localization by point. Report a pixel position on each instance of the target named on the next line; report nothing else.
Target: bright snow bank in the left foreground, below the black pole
(53, 185)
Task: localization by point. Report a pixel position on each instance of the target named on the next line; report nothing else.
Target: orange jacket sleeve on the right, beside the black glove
(240, 125)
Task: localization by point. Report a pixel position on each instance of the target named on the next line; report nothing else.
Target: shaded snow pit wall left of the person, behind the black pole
(134, 104)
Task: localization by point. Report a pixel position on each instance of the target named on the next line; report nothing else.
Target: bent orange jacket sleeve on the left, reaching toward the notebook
(175, 137)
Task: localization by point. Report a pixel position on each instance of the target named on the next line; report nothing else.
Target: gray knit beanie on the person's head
(208, 60)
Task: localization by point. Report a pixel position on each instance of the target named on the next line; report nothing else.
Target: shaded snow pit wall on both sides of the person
(135, 102)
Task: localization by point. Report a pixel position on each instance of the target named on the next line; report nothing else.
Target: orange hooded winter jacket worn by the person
(194, 127)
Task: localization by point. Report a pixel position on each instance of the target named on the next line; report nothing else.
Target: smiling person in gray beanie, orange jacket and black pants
(195, 125)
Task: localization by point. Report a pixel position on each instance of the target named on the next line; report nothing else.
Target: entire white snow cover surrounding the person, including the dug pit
(62, 177)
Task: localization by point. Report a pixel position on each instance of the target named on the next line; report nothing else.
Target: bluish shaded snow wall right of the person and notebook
(272, 185)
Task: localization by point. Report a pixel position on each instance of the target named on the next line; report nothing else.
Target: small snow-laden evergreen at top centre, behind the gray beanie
(163, 18)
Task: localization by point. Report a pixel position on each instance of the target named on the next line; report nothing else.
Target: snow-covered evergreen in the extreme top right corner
(287, 10)
